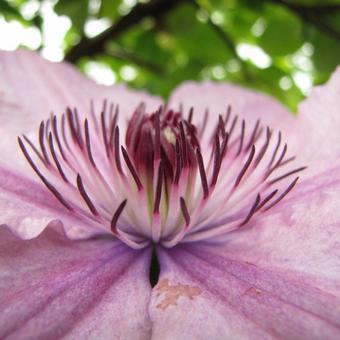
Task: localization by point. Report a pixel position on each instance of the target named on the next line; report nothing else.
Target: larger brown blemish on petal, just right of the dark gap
(172, 293)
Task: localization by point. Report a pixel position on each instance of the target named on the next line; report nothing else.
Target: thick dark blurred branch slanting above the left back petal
(91, 46)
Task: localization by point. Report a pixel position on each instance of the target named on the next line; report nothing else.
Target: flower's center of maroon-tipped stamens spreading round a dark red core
(174, 180)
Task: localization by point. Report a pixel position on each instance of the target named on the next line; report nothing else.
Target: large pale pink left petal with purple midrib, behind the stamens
(30, 89)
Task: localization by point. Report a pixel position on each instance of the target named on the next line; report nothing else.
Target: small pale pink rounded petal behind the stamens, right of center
(248, 104)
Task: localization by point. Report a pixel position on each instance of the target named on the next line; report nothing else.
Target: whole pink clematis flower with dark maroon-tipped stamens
(213, 216)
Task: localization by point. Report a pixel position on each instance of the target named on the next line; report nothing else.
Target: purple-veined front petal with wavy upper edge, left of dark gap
(52, 287)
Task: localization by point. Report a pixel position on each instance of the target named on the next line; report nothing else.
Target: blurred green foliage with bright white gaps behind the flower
(281, 47)
